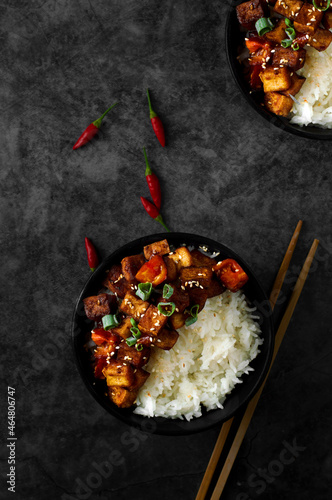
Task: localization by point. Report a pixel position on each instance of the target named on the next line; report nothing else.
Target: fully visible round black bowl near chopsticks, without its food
(242, 392)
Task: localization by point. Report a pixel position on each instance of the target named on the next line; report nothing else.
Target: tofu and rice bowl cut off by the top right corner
(299, 69)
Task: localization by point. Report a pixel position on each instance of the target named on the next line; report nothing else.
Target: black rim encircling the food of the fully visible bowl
(167, 426)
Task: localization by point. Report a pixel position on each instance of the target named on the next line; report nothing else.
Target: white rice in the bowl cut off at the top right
(315, 98)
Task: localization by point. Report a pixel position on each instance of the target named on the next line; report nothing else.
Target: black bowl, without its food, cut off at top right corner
(234, 42)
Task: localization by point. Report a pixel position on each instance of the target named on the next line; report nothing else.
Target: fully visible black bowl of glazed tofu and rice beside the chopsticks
(199, 374)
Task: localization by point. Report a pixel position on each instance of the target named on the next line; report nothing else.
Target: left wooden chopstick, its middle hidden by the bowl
(227, 425)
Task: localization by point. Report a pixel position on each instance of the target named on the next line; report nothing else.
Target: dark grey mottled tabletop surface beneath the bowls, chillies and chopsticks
(226, 174)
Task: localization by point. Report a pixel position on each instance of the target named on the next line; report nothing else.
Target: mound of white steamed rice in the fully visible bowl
(205, 364)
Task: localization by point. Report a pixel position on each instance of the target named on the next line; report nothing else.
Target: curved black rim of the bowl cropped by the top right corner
(309, 132)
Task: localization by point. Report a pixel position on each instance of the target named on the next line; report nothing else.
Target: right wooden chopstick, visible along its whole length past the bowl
(253, 403)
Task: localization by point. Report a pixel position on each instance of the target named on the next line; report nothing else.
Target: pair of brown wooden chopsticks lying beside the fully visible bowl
(239, 436)
